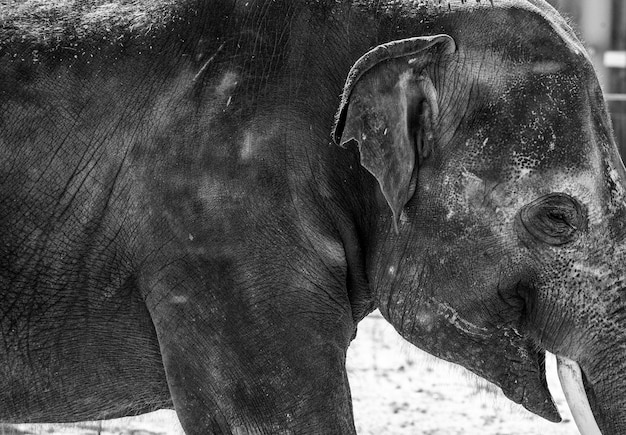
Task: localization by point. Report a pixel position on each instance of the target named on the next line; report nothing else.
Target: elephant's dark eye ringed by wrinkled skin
(555, 219)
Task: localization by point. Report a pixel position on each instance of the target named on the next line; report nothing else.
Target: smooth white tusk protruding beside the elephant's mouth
(572, 383)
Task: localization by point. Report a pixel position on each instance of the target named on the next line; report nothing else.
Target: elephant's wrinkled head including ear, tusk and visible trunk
(502, 210)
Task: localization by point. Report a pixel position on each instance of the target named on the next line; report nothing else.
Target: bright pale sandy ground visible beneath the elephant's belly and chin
(397, 390)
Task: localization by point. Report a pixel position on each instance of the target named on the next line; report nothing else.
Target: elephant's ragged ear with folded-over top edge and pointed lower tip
(388, 108)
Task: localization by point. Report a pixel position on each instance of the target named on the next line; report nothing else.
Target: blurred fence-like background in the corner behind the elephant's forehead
(602, 26)
